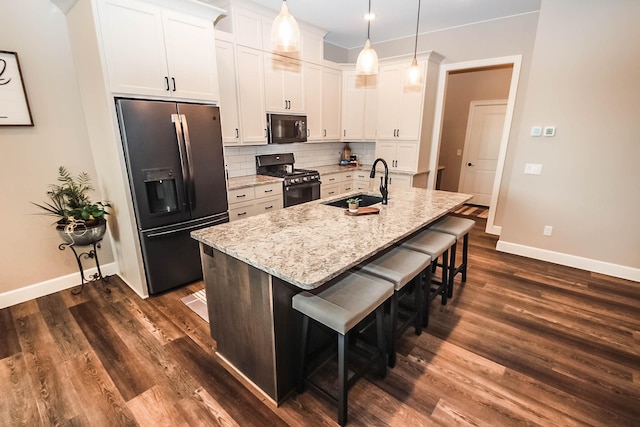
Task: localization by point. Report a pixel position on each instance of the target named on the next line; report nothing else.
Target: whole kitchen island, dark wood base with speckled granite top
(253, 267)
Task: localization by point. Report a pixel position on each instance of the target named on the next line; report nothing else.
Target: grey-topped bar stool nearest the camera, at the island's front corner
(341, 307)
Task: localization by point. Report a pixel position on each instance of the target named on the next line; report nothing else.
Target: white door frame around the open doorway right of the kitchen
(516, 62)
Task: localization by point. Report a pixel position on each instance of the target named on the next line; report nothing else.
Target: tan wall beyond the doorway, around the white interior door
(462, 88)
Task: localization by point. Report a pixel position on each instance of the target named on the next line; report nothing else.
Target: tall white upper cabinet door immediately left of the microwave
(251, 95)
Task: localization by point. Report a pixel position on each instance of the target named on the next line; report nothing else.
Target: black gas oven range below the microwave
(298, 185)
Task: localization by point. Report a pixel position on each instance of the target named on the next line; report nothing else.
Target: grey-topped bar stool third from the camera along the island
(435, 245)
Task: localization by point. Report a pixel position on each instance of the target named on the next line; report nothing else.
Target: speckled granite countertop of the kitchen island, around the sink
(309, 244)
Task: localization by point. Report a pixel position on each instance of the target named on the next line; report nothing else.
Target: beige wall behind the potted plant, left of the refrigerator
(29, 254)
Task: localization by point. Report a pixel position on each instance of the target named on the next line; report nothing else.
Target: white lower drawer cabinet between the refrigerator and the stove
(250, 201)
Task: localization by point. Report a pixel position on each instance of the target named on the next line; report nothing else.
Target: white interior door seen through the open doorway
(481, 148)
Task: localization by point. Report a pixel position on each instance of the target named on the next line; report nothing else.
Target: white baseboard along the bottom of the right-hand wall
(596, 266)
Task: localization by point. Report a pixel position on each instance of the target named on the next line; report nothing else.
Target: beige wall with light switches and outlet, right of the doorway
(583, 80)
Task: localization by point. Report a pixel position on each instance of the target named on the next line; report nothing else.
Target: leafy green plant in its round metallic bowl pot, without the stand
(80, 221)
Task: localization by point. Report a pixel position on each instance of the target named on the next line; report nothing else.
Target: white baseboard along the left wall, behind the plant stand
(47, 287)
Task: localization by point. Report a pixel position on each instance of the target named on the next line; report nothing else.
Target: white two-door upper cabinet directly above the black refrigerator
(158, 52)
